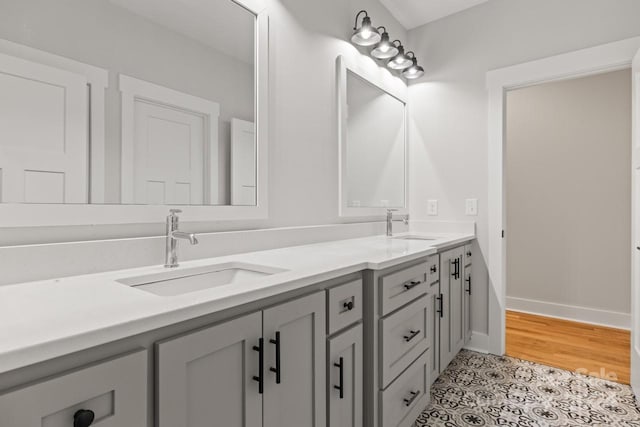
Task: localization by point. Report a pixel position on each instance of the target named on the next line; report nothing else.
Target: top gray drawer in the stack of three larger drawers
(402, 287)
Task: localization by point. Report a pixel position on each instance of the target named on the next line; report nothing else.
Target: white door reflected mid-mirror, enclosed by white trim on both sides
(169, 155)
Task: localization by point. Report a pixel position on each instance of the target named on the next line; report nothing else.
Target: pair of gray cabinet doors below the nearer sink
(213, 377)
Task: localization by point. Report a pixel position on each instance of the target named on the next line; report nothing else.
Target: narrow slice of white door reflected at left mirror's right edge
(243, 163)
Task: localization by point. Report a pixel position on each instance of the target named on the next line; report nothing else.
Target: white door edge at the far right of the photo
(635, 224)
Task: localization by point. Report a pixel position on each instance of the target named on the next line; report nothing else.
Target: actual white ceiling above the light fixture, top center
(413, 13)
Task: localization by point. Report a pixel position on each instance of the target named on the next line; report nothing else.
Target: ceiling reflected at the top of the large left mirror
(219, 24)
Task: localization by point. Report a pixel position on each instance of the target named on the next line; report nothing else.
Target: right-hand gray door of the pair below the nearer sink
(295, 332)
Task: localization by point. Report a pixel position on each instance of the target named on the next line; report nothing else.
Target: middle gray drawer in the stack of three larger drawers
(404, 336)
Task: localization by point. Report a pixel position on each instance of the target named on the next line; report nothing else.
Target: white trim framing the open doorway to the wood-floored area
(608, 57)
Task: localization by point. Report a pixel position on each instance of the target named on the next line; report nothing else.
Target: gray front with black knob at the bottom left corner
(114, 390)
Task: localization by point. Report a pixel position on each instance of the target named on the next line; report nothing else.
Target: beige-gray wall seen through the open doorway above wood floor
(569, 192)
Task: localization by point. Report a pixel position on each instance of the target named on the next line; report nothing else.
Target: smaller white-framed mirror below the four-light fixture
(373, 142)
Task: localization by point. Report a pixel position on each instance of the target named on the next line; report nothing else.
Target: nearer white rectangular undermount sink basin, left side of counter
(180, 282)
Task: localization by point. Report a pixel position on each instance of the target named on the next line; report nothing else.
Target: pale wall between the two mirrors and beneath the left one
(306, 37)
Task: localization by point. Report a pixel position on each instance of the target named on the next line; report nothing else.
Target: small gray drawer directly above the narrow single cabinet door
(344, 306)
